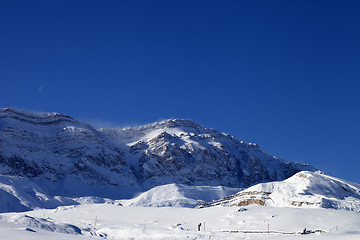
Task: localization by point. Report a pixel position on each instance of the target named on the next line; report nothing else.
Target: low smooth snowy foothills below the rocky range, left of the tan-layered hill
(19, 194)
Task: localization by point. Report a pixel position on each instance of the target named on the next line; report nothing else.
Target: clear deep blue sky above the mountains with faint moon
(283, 74)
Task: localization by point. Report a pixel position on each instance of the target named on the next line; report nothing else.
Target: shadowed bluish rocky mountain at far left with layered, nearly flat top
(52, 146)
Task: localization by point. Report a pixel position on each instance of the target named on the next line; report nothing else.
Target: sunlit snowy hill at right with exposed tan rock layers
(304, 189)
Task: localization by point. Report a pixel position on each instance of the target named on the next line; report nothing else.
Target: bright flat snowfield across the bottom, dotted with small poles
(99, 221)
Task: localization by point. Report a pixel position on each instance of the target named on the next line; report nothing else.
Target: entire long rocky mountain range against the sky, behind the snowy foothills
(54, 147)
